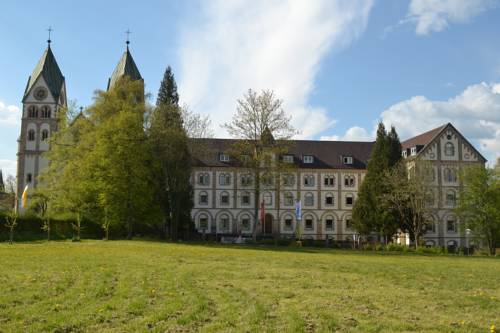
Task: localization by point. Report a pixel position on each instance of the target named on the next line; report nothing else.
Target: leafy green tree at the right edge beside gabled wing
(479, 204)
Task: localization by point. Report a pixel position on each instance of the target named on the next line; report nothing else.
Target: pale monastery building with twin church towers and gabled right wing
(326, 176)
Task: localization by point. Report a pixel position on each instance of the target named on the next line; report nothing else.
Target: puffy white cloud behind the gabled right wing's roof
(475, 113)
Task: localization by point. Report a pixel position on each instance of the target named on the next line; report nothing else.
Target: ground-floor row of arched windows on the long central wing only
(288, 224)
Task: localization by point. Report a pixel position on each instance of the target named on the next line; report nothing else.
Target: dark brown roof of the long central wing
(327, 154)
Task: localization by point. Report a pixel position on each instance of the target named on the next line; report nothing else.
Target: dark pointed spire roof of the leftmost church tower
(47, 68)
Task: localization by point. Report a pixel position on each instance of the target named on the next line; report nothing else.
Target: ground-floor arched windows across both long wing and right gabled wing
(288, 225)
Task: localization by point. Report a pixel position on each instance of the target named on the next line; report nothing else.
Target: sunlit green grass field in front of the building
(138, 286)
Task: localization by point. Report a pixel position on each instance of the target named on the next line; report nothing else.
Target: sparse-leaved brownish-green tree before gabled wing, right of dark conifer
(408, 188)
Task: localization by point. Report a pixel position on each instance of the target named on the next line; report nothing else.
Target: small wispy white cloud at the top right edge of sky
(436, 15)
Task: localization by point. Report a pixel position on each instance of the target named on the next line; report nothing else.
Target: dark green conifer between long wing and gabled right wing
(368, 213)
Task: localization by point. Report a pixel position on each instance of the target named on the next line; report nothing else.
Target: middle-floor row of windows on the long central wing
(268, 199)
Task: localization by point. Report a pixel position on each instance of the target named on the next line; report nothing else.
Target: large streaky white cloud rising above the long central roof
(264, 44)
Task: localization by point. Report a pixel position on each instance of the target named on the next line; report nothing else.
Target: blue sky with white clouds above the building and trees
(340, 67)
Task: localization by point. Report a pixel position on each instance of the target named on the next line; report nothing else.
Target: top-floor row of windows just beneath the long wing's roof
(287, 180)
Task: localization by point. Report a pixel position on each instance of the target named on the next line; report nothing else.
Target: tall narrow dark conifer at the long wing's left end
(172, 159)
